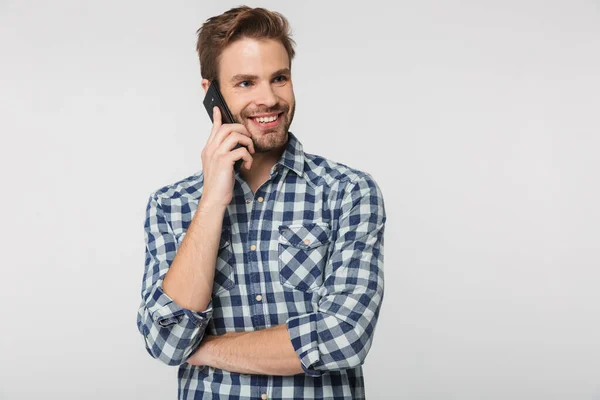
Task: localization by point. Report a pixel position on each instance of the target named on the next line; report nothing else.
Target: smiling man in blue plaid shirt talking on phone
(264, 281)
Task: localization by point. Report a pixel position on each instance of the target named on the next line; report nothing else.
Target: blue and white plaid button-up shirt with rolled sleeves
(305, 250)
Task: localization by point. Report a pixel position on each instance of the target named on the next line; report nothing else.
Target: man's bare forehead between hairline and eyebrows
(252, 56)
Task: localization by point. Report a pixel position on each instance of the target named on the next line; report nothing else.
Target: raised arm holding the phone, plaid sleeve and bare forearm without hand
(172, 319)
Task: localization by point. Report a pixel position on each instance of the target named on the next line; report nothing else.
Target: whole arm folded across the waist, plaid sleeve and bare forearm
(340, 333)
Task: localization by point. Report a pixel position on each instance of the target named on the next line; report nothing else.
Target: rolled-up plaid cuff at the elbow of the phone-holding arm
(165, 311)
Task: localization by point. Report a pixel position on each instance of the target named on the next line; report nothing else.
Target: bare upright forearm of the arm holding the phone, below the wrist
(190, 278)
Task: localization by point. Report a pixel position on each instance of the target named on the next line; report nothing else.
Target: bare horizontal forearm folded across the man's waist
(265, 352)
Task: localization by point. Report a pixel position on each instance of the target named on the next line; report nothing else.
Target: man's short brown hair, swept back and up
(237, 23)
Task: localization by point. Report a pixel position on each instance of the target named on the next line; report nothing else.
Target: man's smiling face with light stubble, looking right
(256, 83)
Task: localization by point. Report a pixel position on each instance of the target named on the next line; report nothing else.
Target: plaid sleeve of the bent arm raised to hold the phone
(171, 333)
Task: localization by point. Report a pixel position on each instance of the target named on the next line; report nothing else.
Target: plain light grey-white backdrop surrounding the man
(479, 120)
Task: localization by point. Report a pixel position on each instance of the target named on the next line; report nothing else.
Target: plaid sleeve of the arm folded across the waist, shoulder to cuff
(340, 333)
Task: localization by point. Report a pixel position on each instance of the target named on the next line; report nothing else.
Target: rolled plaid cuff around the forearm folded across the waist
(303, 334)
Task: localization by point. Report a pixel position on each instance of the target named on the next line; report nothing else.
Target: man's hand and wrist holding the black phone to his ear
(218, 159)
